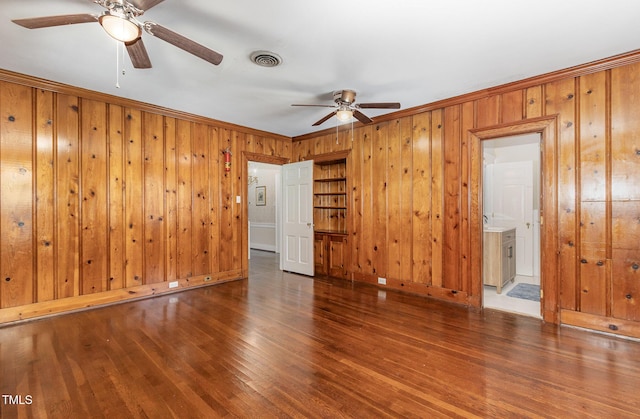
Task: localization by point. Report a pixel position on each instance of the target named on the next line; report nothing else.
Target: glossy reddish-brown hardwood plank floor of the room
(283, 345)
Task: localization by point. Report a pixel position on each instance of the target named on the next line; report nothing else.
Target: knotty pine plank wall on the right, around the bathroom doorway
(411, 215)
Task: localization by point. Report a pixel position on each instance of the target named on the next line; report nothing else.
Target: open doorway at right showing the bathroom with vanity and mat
(511, 175)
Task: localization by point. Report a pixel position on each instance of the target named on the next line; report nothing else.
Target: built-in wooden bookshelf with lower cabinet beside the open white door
(330, 210)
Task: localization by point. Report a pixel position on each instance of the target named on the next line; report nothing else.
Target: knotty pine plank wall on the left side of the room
(104, 200)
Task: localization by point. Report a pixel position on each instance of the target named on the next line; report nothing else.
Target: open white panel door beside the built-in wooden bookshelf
(297, 218)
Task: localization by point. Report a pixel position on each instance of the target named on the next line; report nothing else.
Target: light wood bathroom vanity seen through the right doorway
(498, 256)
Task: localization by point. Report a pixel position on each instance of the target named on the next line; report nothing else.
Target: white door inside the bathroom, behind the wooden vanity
(512, 206)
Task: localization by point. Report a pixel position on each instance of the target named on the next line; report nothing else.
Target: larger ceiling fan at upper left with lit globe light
(120, 21)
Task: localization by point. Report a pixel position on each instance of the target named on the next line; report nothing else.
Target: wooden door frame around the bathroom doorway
(547, 127)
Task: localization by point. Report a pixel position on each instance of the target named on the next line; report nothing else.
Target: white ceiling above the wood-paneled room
(410, 51)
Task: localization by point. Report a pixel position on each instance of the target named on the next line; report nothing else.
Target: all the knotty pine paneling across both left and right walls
(102, 199)
